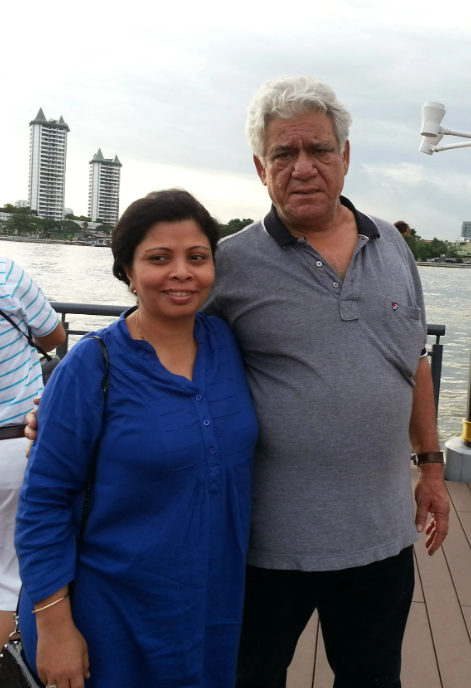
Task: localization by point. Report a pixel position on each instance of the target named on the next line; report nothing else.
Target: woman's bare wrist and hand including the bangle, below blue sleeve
(62, 653)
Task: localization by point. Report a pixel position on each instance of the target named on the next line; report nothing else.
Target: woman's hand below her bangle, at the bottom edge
(62, 656)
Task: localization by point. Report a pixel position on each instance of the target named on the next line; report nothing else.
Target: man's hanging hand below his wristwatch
(431, 497)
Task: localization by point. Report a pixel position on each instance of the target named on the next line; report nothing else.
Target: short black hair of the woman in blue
(169, 205)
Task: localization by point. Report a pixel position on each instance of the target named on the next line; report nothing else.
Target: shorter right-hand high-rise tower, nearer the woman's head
(103, 194)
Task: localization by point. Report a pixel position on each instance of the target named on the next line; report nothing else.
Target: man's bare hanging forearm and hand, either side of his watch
(430, 494)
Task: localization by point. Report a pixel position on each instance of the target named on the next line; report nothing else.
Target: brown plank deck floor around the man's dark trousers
(437, 645)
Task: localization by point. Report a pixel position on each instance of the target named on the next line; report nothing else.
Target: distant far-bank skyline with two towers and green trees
(44, 216)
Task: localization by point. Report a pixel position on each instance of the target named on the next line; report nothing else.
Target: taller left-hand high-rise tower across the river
(47, 158)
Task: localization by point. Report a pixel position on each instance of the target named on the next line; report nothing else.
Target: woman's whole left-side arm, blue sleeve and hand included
(70, 423)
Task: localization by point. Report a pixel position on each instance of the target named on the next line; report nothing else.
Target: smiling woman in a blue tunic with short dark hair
(159, 582)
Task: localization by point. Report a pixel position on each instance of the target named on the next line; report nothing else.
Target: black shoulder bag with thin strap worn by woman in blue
(14, 670)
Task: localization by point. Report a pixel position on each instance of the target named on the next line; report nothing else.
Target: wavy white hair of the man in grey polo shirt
(289, 97)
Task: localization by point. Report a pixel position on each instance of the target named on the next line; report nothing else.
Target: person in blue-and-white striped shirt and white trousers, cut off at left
(20, 382)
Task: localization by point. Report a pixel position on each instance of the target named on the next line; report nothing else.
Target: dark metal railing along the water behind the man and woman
(435, 353)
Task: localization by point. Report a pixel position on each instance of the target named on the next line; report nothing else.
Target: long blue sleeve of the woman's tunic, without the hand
(69, 424)
